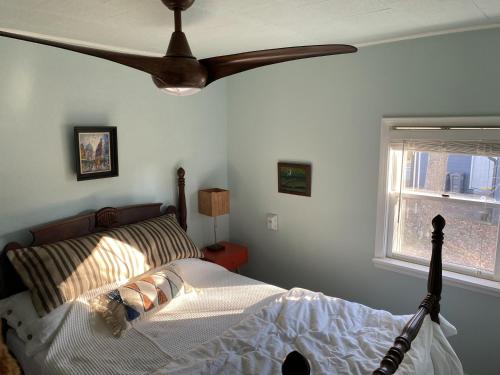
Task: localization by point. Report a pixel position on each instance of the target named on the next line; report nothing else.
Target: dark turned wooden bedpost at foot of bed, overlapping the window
(430, 305)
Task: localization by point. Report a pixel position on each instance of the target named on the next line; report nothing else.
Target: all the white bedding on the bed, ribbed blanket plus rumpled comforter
(228, 324)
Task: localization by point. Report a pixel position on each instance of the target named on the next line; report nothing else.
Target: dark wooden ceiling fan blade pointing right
(223, 66)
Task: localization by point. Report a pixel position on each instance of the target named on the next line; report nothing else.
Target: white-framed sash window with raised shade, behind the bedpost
(447, 166)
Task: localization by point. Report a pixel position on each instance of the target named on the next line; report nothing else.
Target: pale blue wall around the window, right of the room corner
(327, 111)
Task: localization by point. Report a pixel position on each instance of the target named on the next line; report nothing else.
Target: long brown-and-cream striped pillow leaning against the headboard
(61, 271)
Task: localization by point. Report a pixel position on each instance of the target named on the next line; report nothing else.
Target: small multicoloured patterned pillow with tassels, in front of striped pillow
(122, 307)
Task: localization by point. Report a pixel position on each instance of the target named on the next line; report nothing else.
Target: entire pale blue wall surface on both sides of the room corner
(326, 111)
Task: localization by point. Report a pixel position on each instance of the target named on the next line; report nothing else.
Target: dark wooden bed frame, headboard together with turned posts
(109, 217)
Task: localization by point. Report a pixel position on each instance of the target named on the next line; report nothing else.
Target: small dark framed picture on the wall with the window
(294, 179)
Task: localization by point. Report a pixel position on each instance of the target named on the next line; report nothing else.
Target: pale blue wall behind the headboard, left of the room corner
(44, 92)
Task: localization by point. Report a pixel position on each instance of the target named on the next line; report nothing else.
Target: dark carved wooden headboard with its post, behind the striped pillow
(88, 223)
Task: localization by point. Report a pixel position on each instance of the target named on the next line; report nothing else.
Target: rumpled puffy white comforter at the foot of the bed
(337, 337)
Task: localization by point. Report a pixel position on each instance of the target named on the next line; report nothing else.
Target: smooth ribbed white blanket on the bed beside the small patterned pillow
(212, 301)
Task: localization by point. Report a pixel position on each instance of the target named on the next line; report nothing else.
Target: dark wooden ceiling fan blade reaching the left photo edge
(148, 64)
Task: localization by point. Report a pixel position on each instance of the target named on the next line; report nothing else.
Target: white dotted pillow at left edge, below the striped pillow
(19, 312)
